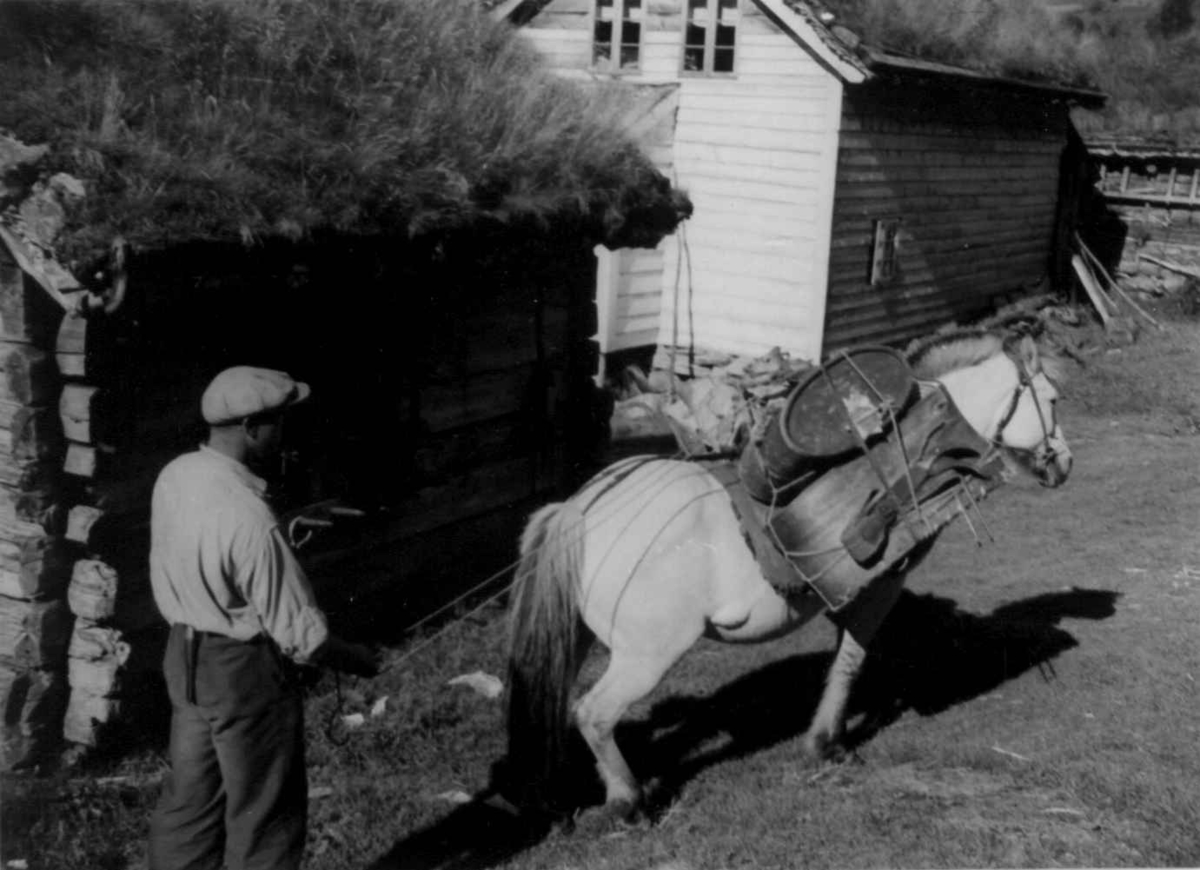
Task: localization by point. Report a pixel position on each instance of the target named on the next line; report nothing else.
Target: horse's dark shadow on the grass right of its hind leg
(928, 657)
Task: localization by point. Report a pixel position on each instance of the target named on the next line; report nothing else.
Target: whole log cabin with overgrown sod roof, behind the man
(422, 256)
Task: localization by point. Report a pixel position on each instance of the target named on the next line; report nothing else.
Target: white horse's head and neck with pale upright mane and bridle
(1006, 391)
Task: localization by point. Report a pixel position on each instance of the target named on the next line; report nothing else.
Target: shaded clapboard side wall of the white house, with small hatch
(974, 181)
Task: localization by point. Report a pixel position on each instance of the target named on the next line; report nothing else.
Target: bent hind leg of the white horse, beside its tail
(627, 680)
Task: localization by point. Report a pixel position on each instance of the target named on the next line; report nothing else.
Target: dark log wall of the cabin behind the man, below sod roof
(447, 401)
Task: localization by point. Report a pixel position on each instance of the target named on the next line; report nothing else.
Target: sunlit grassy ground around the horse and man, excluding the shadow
(1037, 699)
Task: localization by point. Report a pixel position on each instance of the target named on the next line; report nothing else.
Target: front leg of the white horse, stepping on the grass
(857, 625)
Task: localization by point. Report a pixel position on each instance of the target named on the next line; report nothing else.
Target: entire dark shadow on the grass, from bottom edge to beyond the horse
(928, 657)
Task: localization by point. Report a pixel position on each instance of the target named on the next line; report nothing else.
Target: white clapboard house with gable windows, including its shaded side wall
(843, 195)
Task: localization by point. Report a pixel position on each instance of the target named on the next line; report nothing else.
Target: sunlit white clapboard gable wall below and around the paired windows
(755, 152)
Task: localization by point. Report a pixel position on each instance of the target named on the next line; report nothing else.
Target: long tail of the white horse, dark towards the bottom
(545, 629)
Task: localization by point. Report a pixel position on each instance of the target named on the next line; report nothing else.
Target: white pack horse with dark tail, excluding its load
(652, 559)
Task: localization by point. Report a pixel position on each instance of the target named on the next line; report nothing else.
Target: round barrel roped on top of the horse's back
(829, 417)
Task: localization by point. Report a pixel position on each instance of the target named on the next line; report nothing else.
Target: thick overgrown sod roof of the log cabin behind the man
(225, 121)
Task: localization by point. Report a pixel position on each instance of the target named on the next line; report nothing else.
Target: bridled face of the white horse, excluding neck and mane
(1027, 424)
